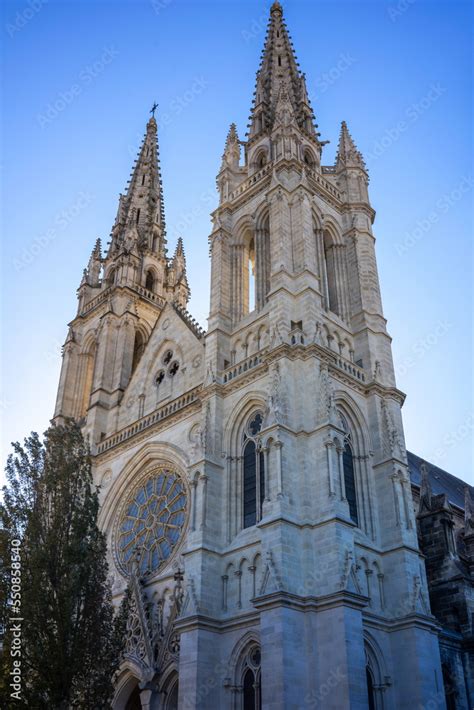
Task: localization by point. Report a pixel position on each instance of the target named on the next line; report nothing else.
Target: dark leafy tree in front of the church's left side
(71, 640)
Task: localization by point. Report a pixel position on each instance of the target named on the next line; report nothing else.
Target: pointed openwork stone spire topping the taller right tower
(279, 66)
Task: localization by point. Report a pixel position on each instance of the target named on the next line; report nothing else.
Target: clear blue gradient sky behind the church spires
(80, 78)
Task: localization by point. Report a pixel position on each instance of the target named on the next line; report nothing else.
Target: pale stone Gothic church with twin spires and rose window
(254, 479)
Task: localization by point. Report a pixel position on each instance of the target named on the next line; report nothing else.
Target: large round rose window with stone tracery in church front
(151, 522)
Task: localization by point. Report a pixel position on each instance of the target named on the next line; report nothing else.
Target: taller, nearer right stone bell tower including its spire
(296, 326)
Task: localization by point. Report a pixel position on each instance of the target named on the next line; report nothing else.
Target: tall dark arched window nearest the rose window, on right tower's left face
(253, 473)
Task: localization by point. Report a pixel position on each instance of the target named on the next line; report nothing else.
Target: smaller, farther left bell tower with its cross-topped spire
(120, 297)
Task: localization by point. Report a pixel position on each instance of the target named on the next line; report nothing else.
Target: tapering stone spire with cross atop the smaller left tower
(141, 213)
